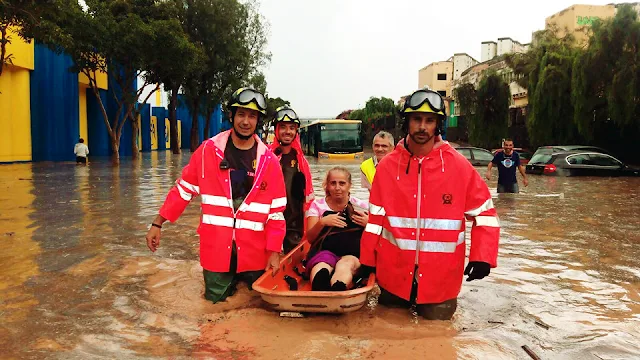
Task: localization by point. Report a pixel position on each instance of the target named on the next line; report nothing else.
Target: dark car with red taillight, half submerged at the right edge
(581, 163)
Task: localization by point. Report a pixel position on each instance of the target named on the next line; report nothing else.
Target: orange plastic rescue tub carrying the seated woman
(275, 290)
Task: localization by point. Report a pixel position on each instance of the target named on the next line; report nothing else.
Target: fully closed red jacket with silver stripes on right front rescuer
(422, 221)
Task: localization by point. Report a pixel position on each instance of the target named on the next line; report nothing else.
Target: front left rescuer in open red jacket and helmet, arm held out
(243, 197)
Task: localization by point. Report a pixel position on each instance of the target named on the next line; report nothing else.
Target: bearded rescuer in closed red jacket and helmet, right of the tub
(415, 238)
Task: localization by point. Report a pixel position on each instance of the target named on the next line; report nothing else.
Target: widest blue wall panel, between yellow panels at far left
(54, 106)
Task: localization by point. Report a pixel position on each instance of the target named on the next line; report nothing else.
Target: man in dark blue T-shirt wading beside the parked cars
(507, 161)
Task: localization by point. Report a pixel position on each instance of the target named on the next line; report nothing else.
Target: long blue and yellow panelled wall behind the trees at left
(44, 109)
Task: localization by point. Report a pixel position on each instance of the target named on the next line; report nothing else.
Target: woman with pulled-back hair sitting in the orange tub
(334, 228)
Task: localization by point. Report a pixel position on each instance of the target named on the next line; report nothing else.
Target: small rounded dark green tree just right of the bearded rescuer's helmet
(488, 124)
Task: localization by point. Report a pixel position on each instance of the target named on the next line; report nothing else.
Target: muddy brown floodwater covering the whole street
(77, 280)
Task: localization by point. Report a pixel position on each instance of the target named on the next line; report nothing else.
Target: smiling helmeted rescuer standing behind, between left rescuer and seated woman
(296, 171)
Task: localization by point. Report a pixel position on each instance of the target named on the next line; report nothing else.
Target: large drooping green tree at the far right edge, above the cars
(606, 83)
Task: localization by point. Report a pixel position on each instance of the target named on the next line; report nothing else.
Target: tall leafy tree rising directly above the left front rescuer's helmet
(233, 36)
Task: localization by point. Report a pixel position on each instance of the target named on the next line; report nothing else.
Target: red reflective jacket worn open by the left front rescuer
(258, 226)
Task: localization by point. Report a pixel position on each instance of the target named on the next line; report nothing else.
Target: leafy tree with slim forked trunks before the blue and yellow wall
(119, 38)
